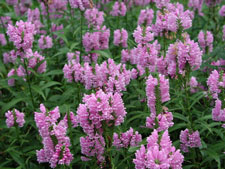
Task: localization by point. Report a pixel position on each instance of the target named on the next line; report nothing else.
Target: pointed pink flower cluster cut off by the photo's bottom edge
(159, 153)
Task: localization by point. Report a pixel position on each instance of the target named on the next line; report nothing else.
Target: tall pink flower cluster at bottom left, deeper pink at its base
(56, 143)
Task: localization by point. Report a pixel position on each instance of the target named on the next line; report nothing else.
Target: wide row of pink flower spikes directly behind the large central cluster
(108, 75)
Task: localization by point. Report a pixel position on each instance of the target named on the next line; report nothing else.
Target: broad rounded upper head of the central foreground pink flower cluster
(98, 108)
